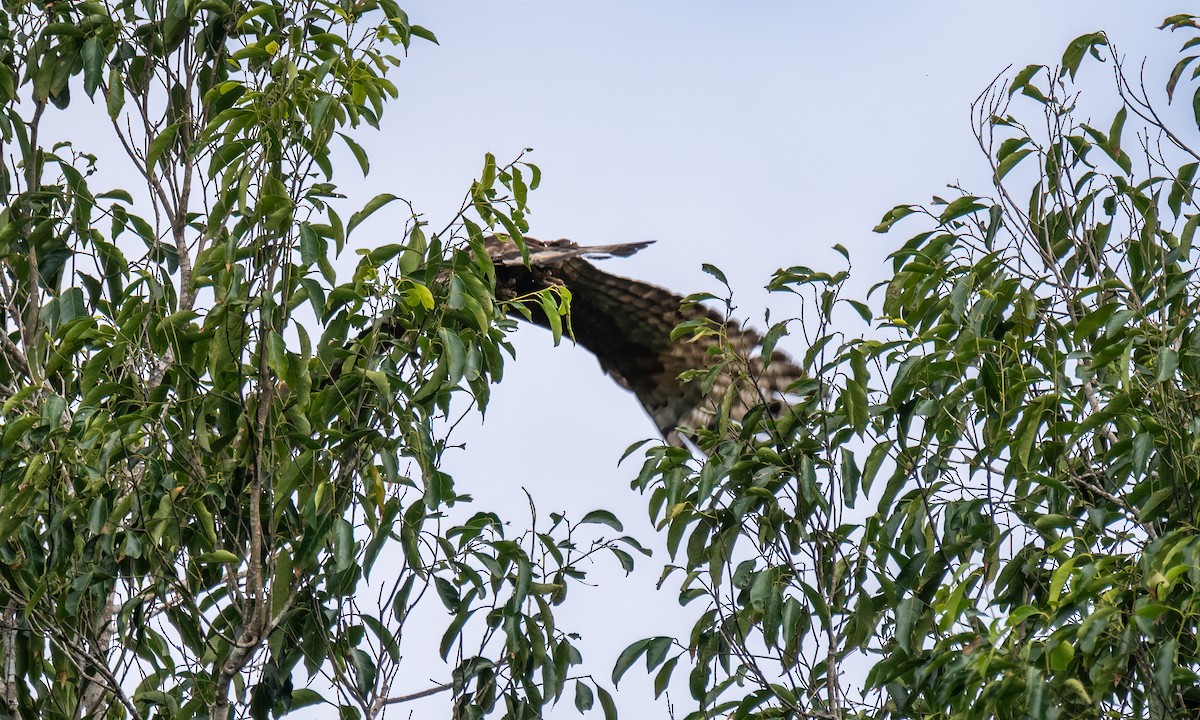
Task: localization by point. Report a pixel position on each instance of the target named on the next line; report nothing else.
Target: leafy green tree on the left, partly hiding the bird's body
(209, 439)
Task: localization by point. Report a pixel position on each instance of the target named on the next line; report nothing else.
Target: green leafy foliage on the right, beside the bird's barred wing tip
(1025, 423)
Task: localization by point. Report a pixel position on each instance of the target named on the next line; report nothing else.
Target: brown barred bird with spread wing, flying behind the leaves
(628, 326)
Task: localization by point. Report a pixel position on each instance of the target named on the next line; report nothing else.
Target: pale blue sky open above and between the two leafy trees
(749, 135)
